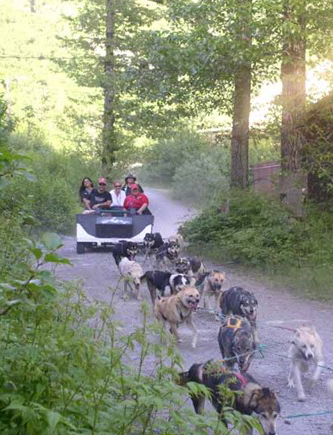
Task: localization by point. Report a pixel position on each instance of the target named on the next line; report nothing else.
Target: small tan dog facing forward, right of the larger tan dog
(211, 284)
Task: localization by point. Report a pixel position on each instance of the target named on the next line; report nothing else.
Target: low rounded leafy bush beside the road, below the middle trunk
(256, 230)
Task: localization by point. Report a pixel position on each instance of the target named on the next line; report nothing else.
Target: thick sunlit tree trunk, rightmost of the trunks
(293, 71)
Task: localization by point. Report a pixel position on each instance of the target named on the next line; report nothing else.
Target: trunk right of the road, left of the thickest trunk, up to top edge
(242, 101)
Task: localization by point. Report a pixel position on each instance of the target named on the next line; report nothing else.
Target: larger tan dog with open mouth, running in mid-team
(177, 309)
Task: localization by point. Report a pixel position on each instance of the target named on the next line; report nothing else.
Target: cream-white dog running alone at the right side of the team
(306, 350)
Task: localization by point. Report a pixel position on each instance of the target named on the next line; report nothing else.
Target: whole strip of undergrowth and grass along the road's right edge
(258, 232)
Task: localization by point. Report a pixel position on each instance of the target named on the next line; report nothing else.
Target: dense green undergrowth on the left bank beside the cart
(38, 192)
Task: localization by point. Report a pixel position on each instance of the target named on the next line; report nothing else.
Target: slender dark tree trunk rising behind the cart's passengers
(109, 138)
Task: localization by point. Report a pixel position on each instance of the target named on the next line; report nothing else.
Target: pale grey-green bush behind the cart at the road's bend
(196, 169)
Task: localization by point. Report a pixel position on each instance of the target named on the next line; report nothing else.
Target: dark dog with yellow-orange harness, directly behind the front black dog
(236, 341)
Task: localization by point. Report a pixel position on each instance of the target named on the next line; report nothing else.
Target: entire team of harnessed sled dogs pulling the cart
(177, 287)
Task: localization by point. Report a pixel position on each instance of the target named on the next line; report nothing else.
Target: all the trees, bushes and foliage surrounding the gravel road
(192, 96)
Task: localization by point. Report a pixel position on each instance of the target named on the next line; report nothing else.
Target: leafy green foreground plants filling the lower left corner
(60, 375)
